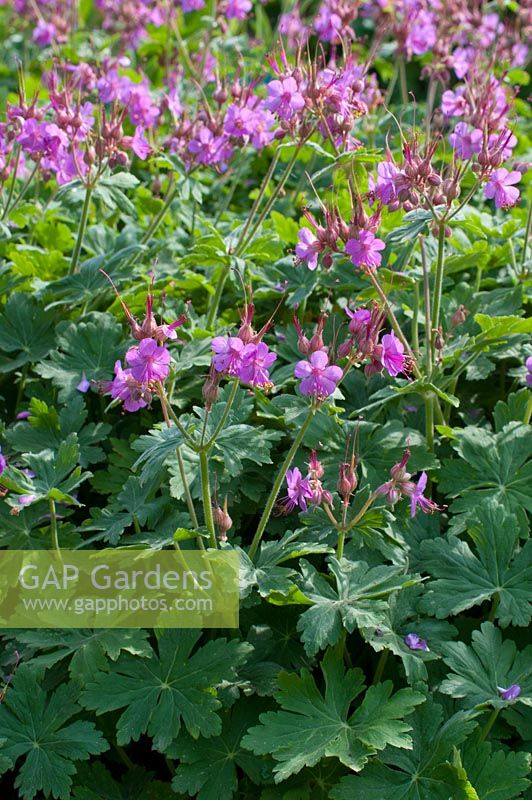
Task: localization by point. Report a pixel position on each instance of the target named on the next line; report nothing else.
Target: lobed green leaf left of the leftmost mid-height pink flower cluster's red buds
(87, 349)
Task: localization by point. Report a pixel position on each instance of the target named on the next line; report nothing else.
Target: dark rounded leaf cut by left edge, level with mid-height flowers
(25, 329)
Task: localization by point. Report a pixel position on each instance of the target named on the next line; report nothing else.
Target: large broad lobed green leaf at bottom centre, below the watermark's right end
(312, 726)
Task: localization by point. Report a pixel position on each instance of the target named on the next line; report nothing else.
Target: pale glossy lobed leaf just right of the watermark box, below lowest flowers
(359, 598)
